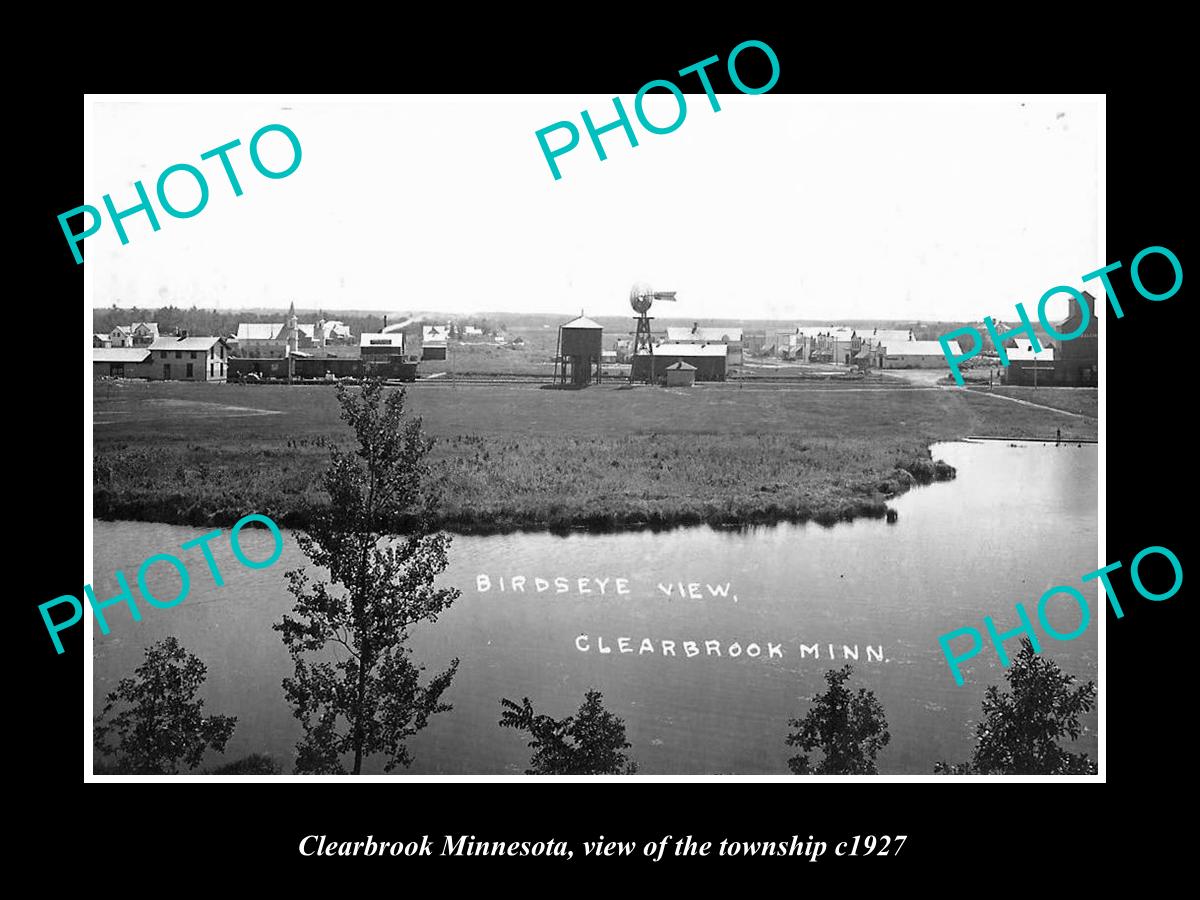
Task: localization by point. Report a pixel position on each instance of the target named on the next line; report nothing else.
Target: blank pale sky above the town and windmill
(777, 207)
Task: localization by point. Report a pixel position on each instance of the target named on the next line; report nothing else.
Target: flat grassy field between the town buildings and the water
(514, 457)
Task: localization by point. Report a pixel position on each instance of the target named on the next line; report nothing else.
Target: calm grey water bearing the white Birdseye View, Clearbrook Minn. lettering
(1019, 519)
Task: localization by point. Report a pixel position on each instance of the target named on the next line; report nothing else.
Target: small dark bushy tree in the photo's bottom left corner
(163, 722)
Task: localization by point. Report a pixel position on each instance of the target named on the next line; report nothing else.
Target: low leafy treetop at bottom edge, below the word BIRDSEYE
(590, 743)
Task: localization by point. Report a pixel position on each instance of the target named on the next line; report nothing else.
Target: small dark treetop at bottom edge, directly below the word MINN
(850, 729)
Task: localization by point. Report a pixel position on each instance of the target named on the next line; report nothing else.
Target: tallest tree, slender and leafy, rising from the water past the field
(362, 695)
